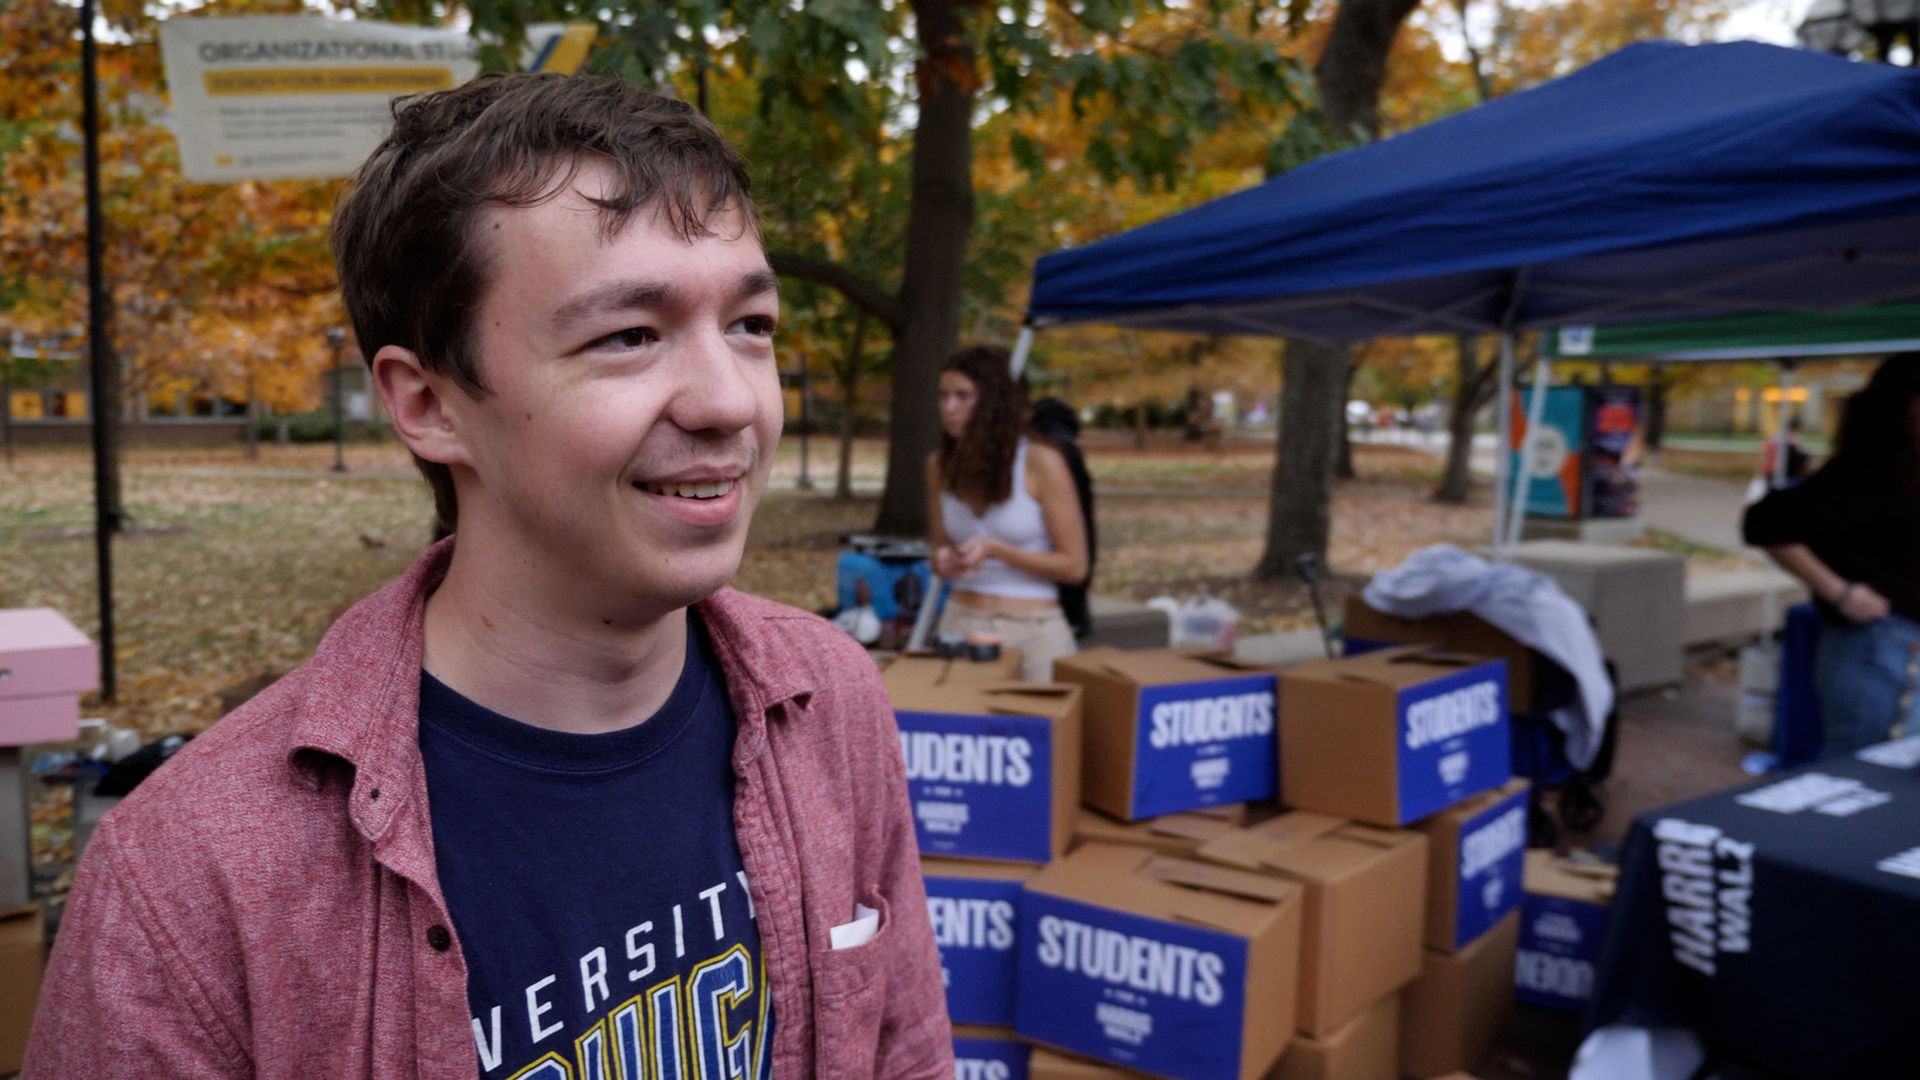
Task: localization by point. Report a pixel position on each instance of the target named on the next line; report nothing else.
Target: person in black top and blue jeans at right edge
(1852, 533)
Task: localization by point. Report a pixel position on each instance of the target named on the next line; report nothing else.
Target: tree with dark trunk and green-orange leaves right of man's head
(957, 64)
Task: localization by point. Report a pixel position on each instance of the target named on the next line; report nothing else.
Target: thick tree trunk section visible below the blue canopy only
(1299, 512)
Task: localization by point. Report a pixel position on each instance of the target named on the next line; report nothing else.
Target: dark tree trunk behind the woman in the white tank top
(938, 228)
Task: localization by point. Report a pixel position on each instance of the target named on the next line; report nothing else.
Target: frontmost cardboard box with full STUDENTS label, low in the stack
(1163, 966)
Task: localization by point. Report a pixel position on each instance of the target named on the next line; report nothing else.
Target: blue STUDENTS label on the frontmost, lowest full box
(1141, 993)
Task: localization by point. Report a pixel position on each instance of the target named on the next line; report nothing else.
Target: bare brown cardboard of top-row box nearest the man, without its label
(949, 687)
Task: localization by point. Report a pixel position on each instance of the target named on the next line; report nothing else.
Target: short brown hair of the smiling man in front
(412, 270)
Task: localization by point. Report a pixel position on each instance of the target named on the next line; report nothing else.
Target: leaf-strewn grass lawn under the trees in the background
(235, 568)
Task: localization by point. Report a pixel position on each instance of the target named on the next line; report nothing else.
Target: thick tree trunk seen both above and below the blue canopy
(1312, 403)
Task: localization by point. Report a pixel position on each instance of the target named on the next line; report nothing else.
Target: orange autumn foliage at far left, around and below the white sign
(214, 287)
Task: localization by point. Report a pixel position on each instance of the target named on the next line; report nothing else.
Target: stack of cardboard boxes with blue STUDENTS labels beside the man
(1356, 937)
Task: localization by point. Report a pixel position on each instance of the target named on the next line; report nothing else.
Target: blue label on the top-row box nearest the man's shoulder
(982, 787)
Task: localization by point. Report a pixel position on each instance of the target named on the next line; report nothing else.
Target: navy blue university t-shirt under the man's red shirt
(596, 889)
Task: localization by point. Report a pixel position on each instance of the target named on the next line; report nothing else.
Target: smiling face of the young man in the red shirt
(633, 408)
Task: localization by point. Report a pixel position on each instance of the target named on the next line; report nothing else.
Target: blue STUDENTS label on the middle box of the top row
(1203, 745)
